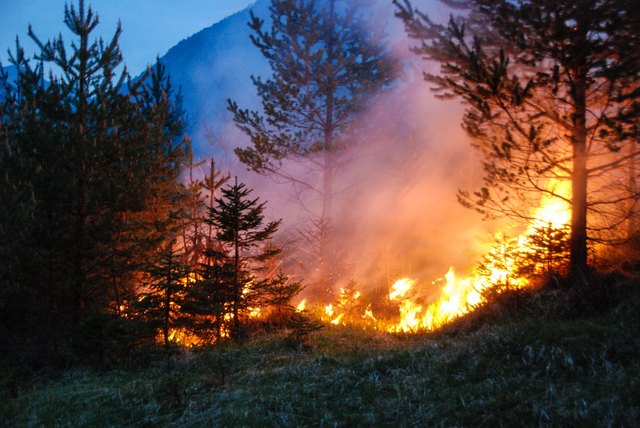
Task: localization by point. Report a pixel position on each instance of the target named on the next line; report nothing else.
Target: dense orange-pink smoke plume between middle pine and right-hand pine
(403, 218)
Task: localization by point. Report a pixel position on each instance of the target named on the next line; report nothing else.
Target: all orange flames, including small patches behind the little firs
(412, 305)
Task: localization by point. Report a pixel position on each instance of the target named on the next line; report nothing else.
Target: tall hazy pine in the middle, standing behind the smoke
(326, 64)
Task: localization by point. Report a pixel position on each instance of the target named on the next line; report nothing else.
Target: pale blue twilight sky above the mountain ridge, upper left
(150, 27)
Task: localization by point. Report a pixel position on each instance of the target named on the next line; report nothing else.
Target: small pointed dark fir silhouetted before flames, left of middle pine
(239, 224)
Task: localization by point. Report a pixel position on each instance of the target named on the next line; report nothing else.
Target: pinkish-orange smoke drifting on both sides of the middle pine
(395, 209)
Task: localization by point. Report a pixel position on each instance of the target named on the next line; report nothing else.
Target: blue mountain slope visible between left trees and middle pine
(211, 66)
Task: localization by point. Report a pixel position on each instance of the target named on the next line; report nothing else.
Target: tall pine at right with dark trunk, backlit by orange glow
(551, 90)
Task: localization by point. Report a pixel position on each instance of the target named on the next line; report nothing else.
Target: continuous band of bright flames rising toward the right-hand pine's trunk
(510, 264)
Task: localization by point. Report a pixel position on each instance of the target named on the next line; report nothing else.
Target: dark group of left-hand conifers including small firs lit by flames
(103, 246)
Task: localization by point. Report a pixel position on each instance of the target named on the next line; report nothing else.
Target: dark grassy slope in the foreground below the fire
(583, 372)
